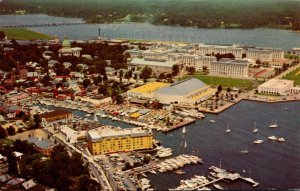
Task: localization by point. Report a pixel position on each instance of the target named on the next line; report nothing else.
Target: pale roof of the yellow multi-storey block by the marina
(100, 133)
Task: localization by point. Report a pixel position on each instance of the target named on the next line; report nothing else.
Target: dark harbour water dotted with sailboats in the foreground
(272, 164)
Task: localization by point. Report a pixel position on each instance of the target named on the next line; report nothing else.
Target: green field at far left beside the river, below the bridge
(25, 34)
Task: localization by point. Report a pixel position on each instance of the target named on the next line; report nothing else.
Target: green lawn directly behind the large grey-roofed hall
(225, 82)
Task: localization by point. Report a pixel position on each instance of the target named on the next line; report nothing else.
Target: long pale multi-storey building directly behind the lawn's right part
(228, 67)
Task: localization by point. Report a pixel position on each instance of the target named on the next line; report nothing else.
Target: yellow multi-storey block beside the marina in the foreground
(107, 140)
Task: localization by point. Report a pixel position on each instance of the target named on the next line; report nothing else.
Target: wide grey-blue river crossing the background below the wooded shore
(278, 38)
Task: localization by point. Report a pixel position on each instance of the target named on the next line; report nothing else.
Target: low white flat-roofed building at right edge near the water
(276, 87)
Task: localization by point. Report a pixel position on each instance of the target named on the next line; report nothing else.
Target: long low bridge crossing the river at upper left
(42, 25)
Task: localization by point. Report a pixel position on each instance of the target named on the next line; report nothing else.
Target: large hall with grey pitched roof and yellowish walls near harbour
(186, 91)
